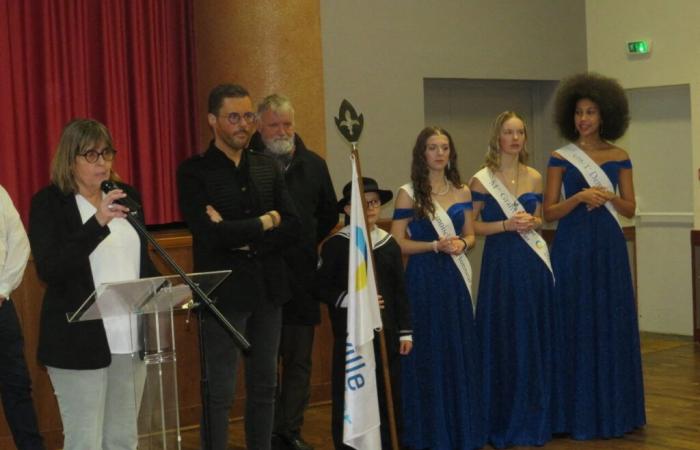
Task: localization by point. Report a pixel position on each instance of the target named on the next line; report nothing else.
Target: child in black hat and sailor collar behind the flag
(332, 279)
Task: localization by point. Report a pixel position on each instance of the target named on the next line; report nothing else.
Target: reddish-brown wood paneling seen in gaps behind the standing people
(178, 244)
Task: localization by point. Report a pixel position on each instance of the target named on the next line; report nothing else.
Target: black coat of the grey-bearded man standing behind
(310, 186)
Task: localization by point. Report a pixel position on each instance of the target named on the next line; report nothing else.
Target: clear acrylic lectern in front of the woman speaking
(148, 305)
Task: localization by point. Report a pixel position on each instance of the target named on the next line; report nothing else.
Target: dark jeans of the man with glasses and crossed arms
(262, 328)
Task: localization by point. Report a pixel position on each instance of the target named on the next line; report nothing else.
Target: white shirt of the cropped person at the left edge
(14, 246)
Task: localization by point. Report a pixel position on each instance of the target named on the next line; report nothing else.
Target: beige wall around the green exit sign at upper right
(672, 27)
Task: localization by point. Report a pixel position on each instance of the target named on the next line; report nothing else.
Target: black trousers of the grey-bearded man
(294, 384)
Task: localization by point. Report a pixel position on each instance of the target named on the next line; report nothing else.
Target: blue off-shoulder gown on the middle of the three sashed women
(514, 325)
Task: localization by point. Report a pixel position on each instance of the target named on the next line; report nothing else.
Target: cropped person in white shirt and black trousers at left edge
(15, 384)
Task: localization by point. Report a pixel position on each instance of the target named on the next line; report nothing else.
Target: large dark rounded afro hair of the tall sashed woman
(604, 92)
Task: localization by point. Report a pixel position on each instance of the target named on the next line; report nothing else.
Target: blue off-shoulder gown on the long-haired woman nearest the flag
(440, 387)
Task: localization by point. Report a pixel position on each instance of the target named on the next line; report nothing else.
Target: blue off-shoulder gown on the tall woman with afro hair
(598, 387)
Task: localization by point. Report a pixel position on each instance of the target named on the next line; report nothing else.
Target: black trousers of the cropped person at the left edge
(15, 384)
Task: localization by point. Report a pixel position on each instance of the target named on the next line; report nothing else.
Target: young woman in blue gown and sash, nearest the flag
(440, 377)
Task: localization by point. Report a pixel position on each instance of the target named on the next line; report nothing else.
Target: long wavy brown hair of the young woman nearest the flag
(423, 203)
